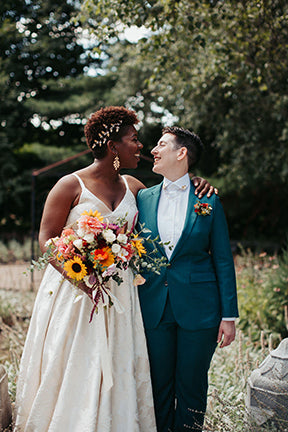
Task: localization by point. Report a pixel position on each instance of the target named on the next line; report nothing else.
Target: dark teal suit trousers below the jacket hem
(179, 362)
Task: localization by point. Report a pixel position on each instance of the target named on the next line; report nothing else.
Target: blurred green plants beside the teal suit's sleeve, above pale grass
(263, 293)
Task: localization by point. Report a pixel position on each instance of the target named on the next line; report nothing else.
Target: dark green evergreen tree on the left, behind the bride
(45, 96)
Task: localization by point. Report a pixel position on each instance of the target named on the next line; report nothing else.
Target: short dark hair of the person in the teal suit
(189, 140)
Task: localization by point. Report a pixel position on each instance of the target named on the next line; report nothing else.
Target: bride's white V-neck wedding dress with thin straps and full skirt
(77, 376)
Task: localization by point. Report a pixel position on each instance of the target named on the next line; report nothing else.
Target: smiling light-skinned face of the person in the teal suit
(166, 156)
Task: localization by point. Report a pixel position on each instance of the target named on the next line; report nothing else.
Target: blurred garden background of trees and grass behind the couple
(218, 68)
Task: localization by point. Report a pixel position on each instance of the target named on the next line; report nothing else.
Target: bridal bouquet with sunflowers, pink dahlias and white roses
(93, 251)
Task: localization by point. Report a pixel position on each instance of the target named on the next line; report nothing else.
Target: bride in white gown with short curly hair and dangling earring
(74, 375)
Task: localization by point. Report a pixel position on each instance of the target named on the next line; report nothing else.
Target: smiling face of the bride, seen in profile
(129, 148)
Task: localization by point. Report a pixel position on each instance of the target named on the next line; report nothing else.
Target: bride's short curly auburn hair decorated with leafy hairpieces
(110, 123)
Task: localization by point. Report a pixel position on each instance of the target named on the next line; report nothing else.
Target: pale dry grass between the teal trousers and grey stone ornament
(230, 369)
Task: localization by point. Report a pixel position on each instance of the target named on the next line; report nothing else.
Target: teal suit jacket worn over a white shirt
(200, 276)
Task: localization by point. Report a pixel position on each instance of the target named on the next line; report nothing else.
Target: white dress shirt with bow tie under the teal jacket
(172, 211)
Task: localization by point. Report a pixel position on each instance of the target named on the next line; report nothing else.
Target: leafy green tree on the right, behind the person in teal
(220, 68)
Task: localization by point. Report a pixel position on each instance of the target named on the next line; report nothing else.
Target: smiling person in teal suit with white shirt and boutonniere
(192, 305)
